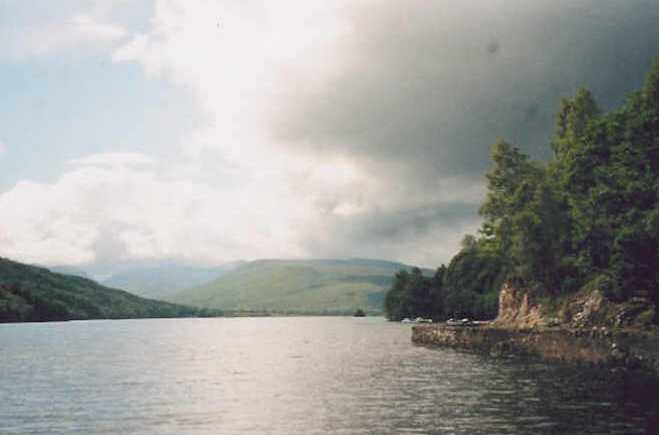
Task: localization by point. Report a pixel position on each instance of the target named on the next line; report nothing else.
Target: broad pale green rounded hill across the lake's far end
(300, 286)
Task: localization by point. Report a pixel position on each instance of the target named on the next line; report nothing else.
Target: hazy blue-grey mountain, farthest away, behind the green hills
(163, 281)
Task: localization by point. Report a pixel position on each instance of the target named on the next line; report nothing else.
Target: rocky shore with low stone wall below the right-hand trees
(586, 329)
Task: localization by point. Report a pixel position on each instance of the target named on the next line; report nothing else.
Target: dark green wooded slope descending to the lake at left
(29, 293)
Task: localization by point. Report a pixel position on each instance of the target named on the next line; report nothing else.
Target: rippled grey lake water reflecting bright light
(291, 376)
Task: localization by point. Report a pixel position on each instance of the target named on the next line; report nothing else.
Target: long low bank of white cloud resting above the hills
(114, 208)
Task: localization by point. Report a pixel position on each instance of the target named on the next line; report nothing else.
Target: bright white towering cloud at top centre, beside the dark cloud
(236, 57)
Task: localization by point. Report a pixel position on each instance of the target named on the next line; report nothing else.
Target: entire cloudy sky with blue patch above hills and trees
(203, 132)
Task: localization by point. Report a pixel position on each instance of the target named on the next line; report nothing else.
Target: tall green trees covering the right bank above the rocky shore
(586, 220)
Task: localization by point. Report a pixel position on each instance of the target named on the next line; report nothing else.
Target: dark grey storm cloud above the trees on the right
(426, 87)
